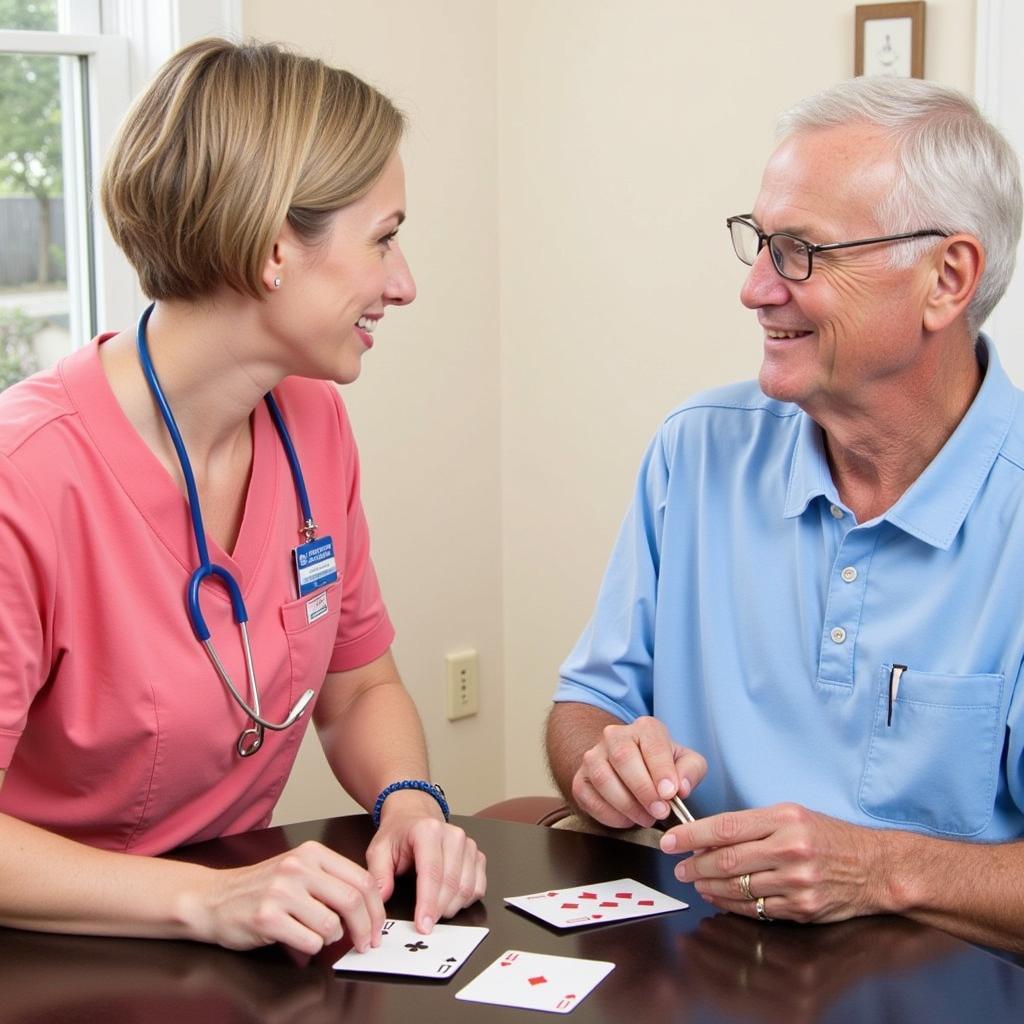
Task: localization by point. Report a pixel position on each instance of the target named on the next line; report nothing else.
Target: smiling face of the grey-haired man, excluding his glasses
(843, 337)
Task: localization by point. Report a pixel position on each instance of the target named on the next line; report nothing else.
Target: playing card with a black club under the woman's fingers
(405, 951)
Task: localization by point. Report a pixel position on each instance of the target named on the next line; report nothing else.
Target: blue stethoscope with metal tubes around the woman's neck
(251, 739)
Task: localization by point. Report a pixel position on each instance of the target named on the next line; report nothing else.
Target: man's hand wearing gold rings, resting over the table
(808, 867)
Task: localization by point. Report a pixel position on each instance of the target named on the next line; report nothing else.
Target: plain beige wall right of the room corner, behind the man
(628, 134)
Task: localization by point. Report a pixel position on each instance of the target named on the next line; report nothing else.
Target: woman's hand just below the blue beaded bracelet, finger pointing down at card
(451, 872)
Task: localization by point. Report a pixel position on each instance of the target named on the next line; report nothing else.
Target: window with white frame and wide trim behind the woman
(68, 72)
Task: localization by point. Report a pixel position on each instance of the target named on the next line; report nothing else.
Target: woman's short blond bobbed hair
(229, 142)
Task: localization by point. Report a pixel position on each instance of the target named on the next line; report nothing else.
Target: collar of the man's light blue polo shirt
(934, 506)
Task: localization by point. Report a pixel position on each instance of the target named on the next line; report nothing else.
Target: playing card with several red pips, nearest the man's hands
(596, 905)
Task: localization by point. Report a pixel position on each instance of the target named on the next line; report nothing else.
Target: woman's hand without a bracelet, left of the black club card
(306, 899)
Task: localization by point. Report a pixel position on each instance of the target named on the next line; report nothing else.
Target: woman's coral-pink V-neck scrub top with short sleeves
(115, 729)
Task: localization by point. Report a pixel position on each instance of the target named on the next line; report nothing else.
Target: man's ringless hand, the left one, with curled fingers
(630, 775)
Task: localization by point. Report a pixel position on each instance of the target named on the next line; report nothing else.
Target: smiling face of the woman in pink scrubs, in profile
(334, 294)
